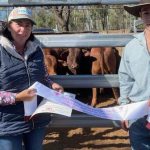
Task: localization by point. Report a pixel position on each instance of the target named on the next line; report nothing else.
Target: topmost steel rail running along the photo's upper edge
(8, 3)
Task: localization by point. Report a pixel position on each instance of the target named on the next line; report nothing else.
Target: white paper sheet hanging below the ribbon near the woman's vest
(50, 107)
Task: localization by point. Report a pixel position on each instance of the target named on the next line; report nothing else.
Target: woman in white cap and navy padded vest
(21, 64)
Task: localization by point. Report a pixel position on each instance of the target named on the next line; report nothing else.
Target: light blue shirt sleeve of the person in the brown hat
(126, 79)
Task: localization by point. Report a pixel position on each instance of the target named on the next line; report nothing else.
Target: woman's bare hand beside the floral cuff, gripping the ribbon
(26, 95)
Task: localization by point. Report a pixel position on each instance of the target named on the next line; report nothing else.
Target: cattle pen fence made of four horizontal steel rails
(80, 40)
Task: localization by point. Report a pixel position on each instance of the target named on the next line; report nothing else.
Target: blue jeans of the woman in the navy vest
(32, 141)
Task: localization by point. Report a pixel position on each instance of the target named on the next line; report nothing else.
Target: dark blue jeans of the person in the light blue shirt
(139, 135)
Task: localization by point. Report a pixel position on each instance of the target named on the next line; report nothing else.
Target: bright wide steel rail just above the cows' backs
(84, 40)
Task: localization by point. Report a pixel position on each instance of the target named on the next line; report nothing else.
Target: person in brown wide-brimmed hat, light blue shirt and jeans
(134, 76)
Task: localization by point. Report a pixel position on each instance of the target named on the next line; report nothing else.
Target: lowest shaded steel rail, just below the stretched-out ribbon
(81, 120)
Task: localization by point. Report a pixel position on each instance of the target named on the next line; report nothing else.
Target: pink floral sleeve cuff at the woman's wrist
(7, 98)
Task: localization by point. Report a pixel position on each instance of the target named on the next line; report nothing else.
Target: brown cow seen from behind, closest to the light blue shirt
(105, 63)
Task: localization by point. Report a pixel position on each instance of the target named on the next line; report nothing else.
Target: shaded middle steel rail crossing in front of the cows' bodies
(86, 81)
